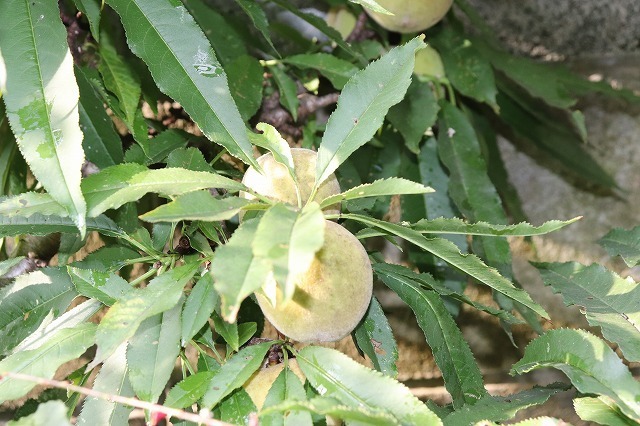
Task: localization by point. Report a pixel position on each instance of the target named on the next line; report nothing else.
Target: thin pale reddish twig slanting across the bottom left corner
(133, 402)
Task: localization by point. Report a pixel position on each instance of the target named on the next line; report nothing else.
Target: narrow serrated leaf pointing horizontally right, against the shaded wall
(443, 225)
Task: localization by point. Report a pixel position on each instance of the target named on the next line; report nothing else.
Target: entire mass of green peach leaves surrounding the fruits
(131, 122)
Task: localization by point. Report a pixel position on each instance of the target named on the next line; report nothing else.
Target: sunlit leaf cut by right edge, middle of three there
(607, 300)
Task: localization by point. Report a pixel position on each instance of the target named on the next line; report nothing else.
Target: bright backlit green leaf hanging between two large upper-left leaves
(119, 78)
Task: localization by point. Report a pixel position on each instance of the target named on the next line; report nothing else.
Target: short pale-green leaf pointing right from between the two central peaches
(378, 188)
